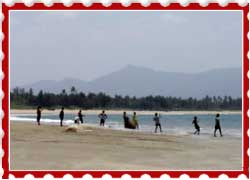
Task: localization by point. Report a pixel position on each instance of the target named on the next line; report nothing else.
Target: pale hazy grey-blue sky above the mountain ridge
(85, 45)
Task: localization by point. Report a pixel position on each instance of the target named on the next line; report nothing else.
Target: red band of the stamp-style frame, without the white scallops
(118, 6)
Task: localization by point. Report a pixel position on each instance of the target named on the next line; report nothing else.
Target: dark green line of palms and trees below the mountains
(20, 98)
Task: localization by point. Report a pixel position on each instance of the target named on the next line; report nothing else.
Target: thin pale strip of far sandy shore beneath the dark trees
(118, 112)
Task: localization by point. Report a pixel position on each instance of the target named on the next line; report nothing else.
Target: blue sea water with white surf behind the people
(171, 124)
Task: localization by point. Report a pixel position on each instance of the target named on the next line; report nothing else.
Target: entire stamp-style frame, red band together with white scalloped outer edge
(9, 5)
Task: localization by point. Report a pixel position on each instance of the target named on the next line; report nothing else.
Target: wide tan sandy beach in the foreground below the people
(92, 148)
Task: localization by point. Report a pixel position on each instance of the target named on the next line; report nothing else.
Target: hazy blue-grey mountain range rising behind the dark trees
(139, 81)
